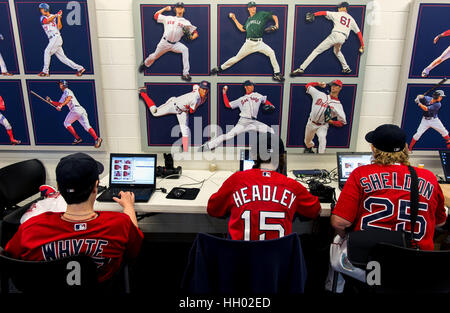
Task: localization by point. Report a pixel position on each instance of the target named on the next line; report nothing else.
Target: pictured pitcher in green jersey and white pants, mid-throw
(254, 27)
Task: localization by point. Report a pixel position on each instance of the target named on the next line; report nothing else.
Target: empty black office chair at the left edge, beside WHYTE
(18, 182)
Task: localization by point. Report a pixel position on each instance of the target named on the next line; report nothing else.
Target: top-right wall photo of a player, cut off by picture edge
(431, 48)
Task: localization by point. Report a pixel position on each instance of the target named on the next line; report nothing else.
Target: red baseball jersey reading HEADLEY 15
(262, 204)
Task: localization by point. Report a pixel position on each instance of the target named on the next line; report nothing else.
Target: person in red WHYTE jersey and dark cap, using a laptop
(107, 237)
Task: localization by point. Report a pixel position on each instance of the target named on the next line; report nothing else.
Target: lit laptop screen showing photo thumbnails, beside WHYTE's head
(133, 170)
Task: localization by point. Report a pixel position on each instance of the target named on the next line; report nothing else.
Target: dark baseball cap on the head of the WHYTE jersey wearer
(77, 172)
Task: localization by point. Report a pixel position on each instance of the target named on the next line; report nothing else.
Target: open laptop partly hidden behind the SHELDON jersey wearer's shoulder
(348, 161)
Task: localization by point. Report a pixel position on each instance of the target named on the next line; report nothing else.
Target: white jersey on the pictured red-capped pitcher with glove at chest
(319, 104)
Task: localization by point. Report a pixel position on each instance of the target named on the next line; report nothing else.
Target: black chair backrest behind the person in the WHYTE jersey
(71, 274)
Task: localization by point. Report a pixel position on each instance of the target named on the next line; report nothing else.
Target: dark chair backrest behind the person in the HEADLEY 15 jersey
(221, 266)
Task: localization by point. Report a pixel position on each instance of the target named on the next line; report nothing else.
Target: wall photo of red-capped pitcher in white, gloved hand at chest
(321, 116)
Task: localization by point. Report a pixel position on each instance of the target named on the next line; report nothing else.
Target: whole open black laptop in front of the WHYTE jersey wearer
(131, 172)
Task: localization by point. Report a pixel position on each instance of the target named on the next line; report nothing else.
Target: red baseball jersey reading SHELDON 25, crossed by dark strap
(377, 196)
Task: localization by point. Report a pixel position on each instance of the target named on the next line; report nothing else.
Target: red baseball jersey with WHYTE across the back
(107, 239)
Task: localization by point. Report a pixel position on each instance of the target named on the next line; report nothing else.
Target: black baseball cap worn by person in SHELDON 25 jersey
(387, 138)
